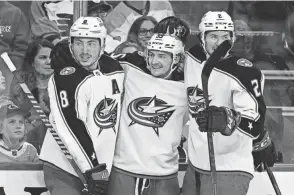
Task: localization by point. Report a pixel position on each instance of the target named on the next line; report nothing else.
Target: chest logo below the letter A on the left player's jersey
(105, 114)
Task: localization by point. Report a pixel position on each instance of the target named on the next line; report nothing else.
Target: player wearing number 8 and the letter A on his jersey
(85, 100)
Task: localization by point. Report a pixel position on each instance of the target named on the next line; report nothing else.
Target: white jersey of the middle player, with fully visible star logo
(151, 124)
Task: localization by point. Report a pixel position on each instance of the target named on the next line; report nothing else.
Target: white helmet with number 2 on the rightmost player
(216, 21)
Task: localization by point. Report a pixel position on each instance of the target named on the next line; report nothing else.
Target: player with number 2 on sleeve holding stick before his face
(235, 114)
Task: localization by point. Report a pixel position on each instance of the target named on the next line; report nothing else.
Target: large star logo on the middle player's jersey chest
(150, 112)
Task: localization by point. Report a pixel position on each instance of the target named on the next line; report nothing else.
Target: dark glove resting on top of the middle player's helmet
(176, 26)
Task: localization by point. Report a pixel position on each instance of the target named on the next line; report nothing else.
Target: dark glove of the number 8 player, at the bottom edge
(98, 180)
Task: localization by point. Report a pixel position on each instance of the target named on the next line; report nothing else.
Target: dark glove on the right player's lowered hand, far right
(263, 152)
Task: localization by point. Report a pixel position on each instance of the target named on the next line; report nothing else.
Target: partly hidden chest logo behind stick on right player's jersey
(195, 99)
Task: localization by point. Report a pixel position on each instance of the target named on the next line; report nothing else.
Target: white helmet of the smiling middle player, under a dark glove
(166, 43)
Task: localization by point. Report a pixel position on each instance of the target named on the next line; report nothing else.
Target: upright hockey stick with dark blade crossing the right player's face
(220, 52)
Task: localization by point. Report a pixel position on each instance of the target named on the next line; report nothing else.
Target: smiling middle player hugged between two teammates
(152, 120)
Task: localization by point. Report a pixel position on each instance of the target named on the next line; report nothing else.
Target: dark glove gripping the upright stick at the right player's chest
(218, 119)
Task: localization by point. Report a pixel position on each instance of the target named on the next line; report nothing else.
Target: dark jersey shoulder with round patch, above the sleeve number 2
(244, 73)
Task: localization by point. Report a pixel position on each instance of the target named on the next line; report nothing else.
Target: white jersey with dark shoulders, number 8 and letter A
(85, 108)
